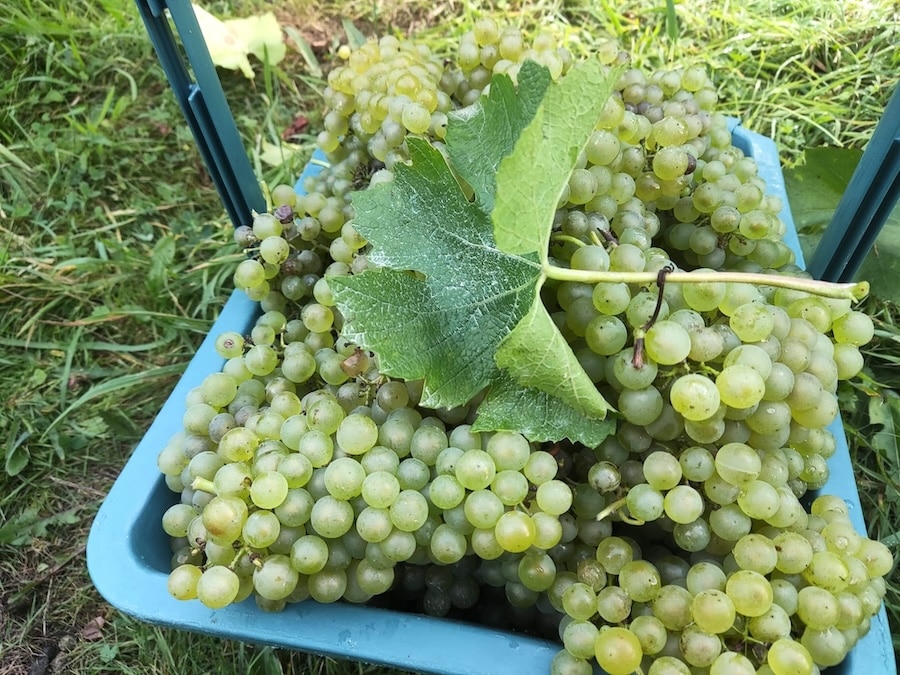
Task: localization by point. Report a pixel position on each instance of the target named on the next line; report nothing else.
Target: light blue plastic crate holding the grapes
(129, 555)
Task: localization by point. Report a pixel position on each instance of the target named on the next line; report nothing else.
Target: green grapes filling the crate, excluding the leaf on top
(690, 540)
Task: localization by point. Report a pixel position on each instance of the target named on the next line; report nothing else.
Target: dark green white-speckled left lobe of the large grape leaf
(444, 327)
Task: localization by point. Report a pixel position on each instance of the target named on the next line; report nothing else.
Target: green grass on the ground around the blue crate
(115, 257)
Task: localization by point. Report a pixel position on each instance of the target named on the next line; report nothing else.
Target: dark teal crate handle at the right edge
(866, 203)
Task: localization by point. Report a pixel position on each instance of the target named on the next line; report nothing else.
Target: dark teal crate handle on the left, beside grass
(204, 105)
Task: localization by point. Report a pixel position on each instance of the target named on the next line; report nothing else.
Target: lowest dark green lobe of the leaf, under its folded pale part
(537, 415)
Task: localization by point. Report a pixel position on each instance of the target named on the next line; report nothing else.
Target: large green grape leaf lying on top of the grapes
(456, 300)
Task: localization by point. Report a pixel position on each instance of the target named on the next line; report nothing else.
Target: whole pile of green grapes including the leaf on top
(532, 351)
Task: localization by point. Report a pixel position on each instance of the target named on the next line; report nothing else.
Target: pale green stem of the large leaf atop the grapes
(848, 291)
